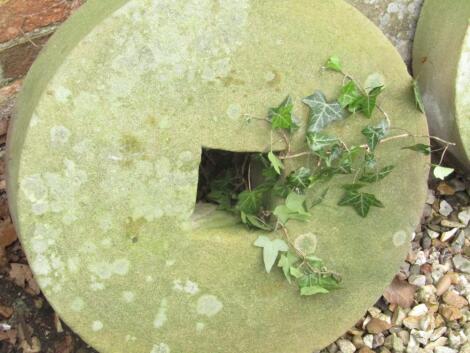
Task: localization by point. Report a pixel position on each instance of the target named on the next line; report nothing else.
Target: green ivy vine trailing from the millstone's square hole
(332, 156)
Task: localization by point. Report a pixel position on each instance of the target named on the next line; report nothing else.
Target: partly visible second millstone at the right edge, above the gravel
(441, 63)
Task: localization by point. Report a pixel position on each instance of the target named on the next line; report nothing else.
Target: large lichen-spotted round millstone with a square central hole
(103, 169)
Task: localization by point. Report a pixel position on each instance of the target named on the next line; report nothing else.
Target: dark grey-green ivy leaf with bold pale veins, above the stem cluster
(322, 113)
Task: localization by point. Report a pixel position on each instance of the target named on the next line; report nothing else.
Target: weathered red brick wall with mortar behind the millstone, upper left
(25, 26)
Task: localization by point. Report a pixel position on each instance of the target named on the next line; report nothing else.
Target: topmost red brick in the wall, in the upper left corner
(18, 17)
